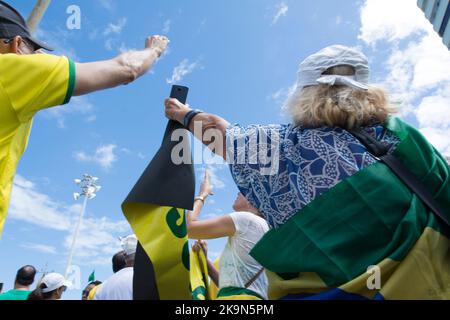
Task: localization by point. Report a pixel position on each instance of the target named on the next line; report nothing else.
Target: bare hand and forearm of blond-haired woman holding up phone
(176, 111)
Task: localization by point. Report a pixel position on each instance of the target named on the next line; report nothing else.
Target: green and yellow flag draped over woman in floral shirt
(369, 237)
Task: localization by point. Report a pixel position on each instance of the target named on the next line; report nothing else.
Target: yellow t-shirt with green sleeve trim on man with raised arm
(28, 83)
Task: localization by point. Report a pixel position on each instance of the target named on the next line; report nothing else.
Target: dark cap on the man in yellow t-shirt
(12, 24)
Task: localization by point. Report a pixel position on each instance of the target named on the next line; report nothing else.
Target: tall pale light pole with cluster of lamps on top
(88, 190)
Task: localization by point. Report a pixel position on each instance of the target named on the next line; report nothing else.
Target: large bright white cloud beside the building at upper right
(417, 67)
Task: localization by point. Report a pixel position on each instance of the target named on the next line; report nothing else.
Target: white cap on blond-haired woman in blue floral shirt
(310, 72)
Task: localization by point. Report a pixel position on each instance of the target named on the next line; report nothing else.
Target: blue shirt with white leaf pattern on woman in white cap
(282, 168)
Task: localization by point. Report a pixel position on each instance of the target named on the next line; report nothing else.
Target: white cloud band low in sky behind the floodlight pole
(98, 237)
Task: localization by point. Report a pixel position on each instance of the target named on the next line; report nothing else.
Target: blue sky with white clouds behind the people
(240, 60)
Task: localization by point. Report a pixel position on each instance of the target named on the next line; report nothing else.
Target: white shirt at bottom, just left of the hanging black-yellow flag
(117, 287)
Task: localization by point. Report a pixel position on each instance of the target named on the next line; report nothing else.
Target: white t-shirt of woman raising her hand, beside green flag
(237, 267)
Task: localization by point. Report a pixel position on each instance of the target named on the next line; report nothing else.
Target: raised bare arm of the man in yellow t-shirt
(123, 69)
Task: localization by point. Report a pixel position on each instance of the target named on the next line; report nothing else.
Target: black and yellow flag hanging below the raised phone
(155, 209)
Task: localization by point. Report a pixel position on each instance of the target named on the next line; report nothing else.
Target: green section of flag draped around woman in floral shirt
(364, 219)
